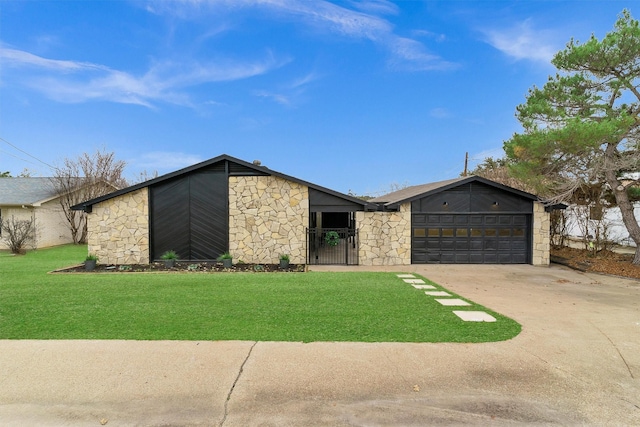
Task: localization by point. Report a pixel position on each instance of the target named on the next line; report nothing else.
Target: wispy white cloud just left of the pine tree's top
(522, 41)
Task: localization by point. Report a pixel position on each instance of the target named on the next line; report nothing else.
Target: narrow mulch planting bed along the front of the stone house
(190, 267)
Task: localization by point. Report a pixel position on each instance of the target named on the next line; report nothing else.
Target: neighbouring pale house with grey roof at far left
(35, 198)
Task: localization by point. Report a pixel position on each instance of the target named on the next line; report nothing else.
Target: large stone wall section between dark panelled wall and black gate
(268, 216)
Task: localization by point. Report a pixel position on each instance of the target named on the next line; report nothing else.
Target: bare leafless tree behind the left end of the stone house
(85, 178)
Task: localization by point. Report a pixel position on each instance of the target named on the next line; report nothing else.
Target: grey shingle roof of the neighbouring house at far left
(26, 191)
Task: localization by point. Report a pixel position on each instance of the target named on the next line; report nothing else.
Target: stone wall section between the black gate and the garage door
(385, 237)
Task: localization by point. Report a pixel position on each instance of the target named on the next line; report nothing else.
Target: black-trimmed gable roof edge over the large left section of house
(261, 170)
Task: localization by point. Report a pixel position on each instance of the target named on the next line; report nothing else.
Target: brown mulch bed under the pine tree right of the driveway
(606, 262)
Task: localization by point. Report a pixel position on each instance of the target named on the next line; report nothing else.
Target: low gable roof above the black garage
(396, 198)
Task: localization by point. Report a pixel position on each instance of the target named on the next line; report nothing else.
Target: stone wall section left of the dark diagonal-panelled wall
(119, 229)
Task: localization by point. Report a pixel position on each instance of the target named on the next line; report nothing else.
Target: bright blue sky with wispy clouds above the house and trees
(351, 95)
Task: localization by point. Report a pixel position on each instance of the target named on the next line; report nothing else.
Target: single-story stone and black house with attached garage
(227, 204)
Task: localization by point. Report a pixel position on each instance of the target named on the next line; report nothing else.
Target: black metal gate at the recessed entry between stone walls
(336, 246)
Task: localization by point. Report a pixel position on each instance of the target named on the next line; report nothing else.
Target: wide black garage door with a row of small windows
(470, 239)
